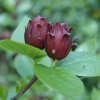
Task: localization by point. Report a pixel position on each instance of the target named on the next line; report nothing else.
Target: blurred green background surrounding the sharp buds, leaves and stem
(84, 15)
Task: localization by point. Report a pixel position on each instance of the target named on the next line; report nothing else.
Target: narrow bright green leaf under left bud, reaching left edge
(24, 49)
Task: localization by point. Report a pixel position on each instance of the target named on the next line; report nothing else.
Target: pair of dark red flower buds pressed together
(54, 38)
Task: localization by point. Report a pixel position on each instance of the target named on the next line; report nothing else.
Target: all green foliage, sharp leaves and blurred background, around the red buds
(66, 79)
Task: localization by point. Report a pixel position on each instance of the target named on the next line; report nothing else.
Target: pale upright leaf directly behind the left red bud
(18, 34)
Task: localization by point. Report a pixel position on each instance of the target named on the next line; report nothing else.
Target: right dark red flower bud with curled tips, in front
(58, 43)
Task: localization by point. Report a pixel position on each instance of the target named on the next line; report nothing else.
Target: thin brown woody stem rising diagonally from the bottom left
(25, 88)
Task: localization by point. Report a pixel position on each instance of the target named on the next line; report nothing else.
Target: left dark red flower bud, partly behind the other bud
(36, 32)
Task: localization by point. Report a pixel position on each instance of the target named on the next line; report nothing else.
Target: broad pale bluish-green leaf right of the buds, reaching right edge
(81, 64)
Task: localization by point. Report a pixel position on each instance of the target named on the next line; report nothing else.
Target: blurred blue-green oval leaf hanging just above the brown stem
(23, 66)
